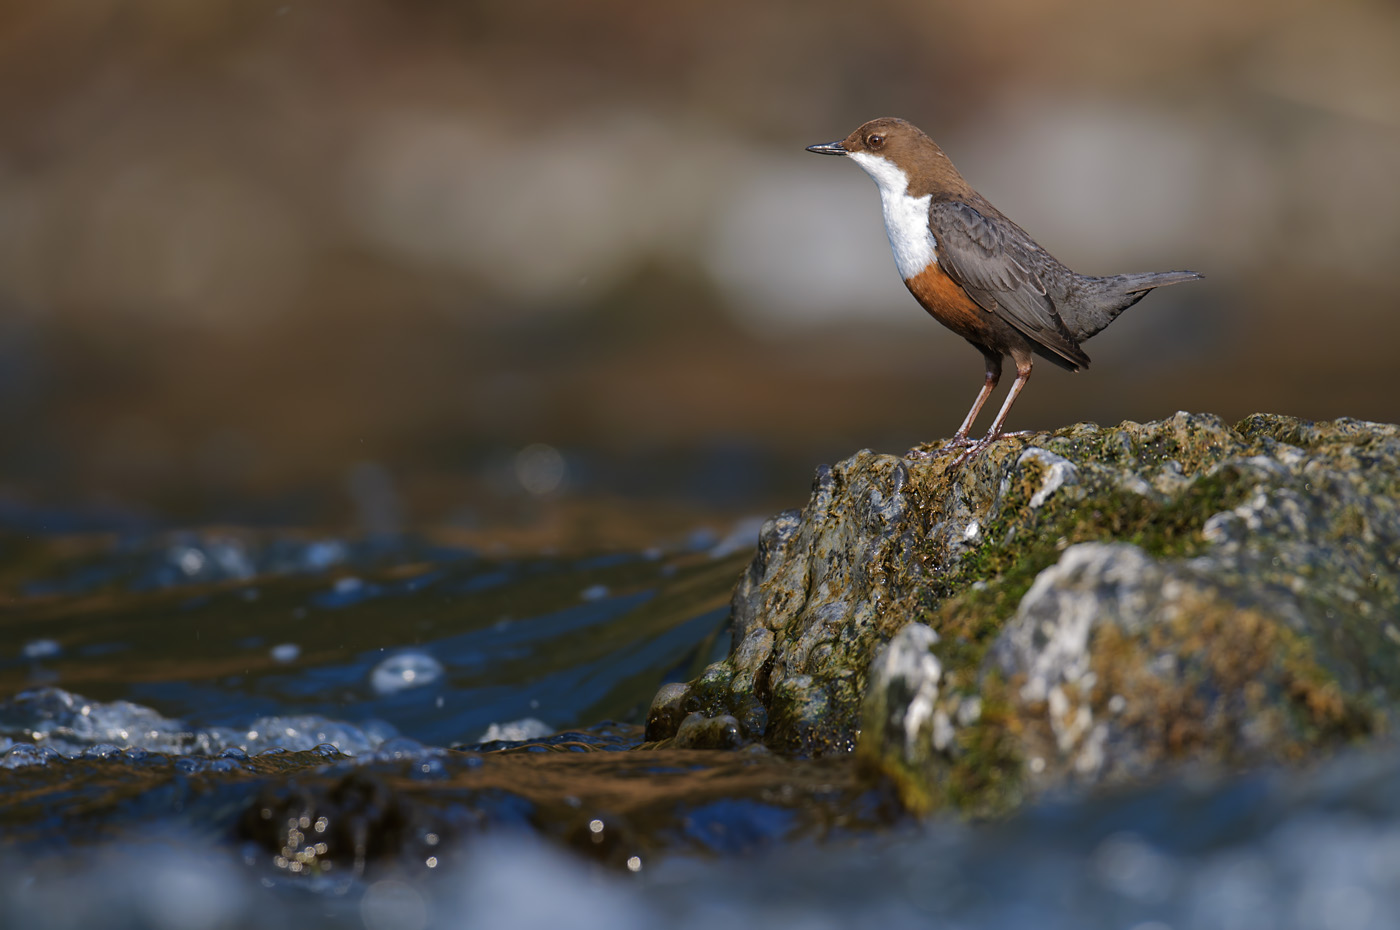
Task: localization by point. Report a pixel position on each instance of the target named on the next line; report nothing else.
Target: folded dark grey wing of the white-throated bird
(997, 265)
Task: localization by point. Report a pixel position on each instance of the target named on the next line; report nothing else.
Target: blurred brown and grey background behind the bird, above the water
(566, 267)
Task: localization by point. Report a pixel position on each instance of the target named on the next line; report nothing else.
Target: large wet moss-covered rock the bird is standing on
(1074, 609)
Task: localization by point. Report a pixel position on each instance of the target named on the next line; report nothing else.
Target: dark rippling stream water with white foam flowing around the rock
(225, 730)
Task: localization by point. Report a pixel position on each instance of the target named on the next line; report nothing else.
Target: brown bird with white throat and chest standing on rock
(979, 274)
